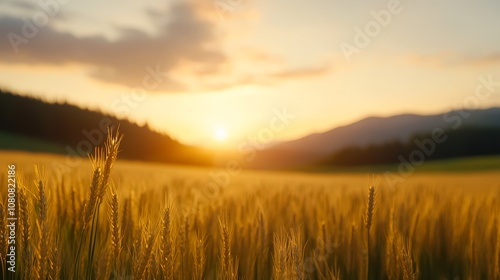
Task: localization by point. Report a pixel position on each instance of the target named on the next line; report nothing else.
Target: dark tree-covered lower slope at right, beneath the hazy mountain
(463, 142)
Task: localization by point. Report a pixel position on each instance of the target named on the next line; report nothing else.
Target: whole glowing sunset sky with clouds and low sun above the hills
(216, 72)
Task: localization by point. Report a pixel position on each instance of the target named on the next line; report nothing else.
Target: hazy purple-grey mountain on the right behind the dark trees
(369, 131)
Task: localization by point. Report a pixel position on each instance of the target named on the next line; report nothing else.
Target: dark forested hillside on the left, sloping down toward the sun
(77, 130)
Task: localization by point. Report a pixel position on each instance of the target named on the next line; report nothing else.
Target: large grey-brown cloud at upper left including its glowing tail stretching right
(185, 50)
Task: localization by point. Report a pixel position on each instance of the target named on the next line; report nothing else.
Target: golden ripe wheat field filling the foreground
(125, 220)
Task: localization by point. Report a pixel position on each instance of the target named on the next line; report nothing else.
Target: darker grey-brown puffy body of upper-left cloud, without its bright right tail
(185, 37)
